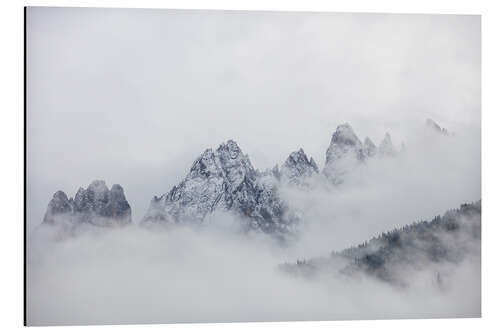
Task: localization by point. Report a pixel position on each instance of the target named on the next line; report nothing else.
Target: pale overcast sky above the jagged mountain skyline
(133, 96)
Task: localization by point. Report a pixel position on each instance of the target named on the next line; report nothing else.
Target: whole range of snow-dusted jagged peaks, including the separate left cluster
(224, 180)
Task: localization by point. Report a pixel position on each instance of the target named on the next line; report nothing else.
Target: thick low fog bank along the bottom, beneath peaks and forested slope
(135, 276)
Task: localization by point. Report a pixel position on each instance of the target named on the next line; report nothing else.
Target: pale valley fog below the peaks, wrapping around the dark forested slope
(217, 273)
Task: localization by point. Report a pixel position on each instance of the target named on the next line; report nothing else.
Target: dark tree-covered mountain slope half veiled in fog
(393, 256)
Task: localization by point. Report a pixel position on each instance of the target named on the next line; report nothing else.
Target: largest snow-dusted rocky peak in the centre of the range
(223, 180)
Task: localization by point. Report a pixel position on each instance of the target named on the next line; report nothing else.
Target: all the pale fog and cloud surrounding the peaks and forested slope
(134, 96)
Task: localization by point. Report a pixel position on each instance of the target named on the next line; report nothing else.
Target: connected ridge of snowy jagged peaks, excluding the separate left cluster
(225, 180)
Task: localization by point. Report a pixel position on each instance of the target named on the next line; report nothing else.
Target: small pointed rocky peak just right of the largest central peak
(298, 168)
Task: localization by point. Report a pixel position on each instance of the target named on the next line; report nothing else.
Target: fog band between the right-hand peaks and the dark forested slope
(433, 174)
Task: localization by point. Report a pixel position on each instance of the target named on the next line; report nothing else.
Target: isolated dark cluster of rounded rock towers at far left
(96, 205)
